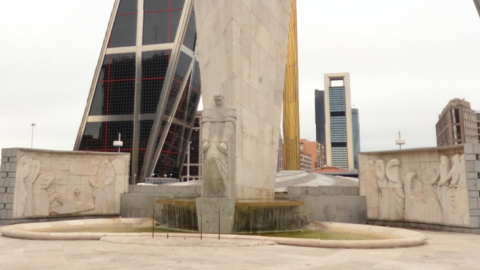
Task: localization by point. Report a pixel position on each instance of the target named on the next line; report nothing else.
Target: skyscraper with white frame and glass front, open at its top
(339, 143)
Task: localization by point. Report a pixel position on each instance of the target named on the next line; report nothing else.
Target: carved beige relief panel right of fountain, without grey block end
(410, 186)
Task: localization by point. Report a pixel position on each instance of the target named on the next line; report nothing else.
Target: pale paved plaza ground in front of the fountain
(442, 251)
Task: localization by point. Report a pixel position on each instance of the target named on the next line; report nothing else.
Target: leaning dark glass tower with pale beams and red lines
(146, 87)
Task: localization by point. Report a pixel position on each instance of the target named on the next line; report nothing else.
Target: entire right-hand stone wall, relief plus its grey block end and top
(437, 186)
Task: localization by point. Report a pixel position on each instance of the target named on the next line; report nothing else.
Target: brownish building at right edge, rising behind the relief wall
(457, 124)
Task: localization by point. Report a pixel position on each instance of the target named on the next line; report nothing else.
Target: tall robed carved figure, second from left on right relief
(397, 193)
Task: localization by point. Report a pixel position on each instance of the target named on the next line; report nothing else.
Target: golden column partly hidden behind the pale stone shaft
(291, 123)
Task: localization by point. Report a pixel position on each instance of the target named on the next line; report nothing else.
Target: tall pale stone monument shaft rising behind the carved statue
(242, 49)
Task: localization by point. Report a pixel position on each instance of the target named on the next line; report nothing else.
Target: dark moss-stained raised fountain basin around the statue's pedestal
(245, 216)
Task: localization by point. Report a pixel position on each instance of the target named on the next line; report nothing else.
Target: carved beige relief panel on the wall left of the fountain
(67, 183)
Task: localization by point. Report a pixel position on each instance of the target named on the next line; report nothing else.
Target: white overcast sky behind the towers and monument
(406, 60)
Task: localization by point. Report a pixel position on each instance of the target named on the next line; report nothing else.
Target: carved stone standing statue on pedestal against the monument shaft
(218, 146)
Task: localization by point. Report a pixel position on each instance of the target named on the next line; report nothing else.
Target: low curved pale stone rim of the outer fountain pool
(394, 237)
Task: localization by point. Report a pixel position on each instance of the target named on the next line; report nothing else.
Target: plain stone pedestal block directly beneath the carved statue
(215, 214)
